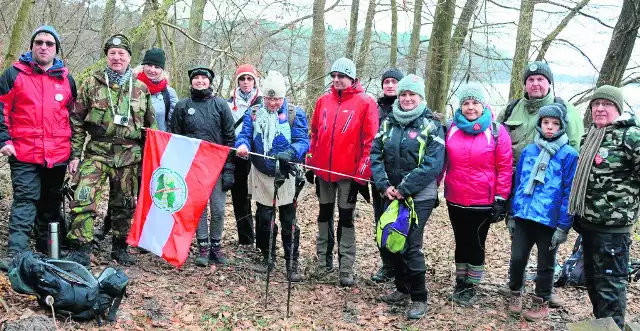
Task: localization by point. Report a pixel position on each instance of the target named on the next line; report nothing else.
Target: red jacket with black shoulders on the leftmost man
(35, 111)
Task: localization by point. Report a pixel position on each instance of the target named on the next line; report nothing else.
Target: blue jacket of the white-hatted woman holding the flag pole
(298, 141)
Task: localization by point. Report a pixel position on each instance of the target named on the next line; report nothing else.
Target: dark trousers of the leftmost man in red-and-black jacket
(37, 196)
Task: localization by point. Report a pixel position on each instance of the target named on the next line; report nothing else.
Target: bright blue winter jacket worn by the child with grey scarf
(549, 202)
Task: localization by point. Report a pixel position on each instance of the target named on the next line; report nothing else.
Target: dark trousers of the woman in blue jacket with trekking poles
(290, 236)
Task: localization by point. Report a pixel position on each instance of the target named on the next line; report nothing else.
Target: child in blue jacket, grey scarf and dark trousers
(540, 202)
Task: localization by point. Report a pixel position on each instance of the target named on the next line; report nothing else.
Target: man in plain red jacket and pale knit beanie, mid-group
(344, 123)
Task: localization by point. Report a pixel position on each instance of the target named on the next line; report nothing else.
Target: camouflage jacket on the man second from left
(114, 145)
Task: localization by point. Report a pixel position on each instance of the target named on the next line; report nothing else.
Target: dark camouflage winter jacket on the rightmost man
(613, 190)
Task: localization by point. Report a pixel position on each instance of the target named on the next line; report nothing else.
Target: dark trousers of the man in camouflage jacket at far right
(606, 261)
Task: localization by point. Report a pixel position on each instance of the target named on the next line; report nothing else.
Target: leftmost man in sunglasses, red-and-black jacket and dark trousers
(36, 93)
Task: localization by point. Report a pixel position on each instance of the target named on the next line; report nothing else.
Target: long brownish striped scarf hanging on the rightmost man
(588, 152)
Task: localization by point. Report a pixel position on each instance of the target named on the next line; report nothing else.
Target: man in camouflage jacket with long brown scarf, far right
(608, 179)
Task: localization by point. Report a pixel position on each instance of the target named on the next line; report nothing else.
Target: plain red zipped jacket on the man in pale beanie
(342, 131)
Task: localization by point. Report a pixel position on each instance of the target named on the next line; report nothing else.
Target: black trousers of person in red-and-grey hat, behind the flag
(241, 202)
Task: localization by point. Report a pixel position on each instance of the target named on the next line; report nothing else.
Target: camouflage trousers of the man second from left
(123, 183)
